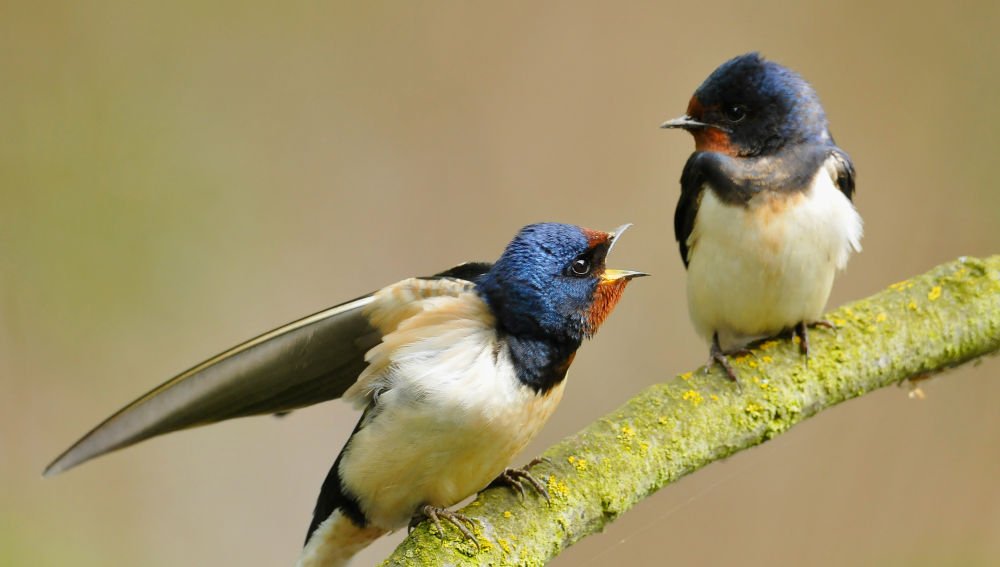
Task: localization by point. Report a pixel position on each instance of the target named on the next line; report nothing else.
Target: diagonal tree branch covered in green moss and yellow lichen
(917, 327)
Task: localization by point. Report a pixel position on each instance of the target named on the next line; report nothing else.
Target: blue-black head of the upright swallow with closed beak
(752, 107)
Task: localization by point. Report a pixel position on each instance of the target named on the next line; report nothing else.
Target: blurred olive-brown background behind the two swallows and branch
(177, 178)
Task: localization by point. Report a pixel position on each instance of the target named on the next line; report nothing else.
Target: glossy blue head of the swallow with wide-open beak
(552, 282)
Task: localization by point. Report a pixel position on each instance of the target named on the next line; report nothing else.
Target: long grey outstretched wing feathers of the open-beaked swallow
(306, 362)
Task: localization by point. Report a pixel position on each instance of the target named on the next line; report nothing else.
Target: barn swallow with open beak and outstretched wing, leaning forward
(454, 374)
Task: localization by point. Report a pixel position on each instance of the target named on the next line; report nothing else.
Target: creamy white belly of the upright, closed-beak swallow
(754, 271)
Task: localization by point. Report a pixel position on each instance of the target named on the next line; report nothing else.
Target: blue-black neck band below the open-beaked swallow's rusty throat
(540, 363)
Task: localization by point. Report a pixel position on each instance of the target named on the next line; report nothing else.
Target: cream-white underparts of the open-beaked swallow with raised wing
(450, 415)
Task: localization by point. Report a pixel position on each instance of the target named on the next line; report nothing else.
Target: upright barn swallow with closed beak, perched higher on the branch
(765, 216)
